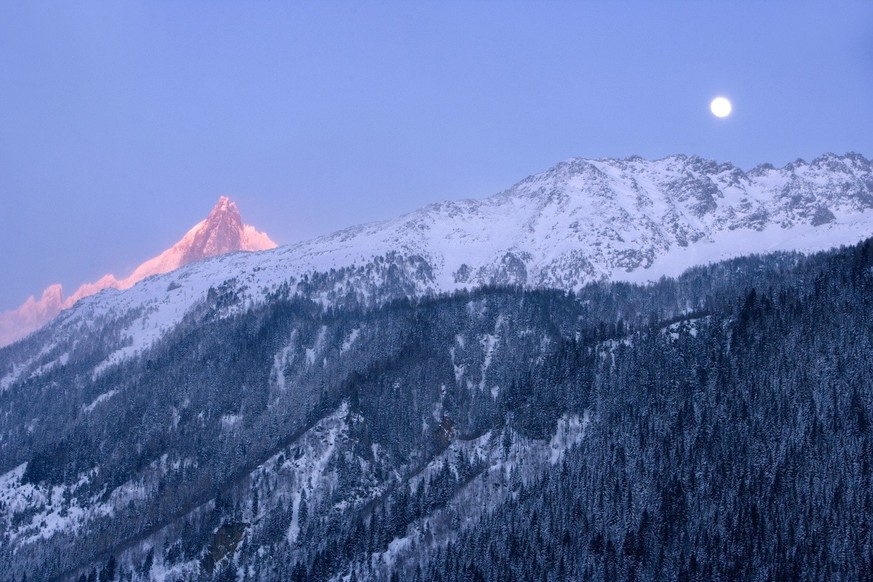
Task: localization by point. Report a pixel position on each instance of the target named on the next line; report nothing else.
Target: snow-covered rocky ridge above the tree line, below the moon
(578, 222)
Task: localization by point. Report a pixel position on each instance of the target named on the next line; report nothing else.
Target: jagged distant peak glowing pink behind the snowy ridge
(222, 232)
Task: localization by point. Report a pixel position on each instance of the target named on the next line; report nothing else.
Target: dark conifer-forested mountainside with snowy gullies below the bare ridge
(716, 426)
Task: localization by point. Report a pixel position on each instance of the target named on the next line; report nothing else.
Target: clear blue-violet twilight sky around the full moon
(122, 122)
